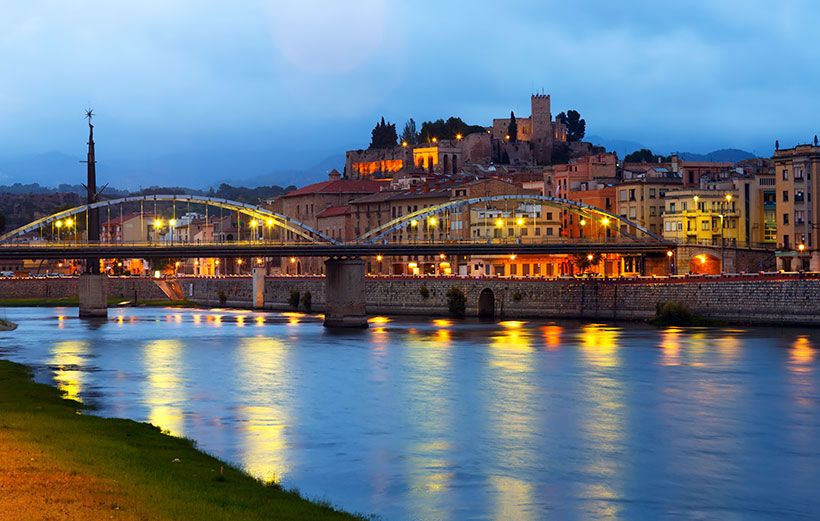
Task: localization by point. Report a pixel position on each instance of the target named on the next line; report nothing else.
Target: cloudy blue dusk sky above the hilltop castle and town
(203, 91)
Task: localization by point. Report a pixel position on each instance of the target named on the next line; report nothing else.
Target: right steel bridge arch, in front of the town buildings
(380, 232)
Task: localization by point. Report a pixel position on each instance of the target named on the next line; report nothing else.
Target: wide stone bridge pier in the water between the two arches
(344, 293)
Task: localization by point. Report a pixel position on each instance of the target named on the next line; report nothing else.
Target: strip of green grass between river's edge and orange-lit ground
(141, 459)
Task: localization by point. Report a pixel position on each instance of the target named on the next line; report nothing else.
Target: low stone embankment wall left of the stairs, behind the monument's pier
(127, 288)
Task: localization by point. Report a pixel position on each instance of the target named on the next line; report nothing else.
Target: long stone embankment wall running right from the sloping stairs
(760, 300)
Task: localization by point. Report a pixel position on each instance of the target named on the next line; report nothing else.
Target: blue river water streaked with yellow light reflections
(442, 420)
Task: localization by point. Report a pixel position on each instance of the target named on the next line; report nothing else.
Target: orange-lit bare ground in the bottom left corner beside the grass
(36, 486)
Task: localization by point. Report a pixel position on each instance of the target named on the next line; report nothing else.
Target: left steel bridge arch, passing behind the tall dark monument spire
(252, 210)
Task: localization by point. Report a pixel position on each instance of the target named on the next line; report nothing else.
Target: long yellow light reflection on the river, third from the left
(263, 377)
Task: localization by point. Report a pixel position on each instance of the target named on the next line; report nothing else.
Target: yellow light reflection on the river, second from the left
(164, 389)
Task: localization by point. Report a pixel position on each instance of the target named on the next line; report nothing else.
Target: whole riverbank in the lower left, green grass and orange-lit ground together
(131, 470)
